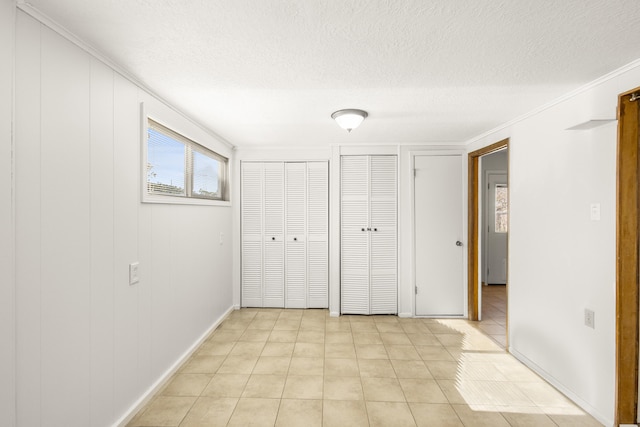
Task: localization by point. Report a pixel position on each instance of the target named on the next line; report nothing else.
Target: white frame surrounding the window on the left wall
(196, 140)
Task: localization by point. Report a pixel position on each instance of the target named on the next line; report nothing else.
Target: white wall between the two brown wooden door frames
(561, 262)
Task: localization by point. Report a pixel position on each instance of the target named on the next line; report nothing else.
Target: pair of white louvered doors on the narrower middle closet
(368, 235)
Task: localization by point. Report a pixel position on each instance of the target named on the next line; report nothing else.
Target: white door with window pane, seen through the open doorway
(497, 214)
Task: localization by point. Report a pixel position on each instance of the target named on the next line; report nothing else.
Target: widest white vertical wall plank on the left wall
(65, 136)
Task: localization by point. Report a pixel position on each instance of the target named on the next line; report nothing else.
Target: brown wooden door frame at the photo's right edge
(627, 251)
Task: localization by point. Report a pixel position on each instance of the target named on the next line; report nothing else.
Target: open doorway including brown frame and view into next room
(481, 214)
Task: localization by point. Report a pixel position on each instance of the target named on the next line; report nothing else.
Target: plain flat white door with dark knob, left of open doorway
(439, 253)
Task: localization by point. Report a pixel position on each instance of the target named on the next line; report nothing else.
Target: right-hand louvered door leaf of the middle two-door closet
(383, 245)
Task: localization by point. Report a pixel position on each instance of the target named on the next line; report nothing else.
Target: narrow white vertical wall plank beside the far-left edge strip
(27, 220)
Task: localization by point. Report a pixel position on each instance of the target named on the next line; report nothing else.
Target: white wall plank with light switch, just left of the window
(126, 152)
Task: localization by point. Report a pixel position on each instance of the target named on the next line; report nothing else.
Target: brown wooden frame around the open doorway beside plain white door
(474, 226)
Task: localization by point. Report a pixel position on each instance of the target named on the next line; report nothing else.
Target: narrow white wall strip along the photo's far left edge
(7, 317)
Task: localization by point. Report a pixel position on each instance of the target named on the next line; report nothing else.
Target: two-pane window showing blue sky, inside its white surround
(179, 167)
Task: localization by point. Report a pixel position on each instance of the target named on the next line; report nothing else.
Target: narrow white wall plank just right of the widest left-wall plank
(102, 251)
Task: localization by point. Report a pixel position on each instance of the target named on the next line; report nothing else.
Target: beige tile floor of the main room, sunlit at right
(272, 367)
